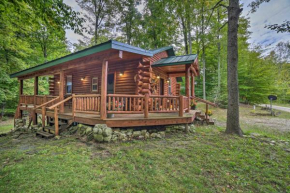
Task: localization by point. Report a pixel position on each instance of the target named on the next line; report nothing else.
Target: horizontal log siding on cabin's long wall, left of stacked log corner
(124, 84)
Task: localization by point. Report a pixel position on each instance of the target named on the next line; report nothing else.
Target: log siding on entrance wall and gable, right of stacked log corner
(162, 74)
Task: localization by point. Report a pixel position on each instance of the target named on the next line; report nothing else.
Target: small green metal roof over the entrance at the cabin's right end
(175, 60)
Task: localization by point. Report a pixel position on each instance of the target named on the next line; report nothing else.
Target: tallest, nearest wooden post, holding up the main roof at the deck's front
(104, 89)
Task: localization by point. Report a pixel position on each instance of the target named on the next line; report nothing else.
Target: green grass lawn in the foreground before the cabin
(206, 161)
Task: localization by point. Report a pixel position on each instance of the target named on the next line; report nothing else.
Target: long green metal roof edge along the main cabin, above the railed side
(111, 44)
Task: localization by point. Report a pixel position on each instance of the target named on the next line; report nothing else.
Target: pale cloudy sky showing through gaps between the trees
(274, 12)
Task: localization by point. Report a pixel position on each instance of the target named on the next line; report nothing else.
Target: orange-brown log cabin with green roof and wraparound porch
(113, 83)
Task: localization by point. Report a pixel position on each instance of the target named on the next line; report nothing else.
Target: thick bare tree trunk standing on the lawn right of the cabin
(233, 122)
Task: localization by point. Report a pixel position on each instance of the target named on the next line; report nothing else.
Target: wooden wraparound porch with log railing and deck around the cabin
(128, 110)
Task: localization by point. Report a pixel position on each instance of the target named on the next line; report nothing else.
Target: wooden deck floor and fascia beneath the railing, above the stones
(124, 120)
